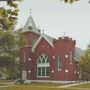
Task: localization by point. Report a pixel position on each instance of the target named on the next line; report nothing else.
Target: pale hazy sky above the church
(56, 17)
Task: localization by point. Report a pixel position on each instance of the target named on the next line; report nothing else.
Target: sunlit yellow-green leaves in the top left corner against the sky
(8, 17)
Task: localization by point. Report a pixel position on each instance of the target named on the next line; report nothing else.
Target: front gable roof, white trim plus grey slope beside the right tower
(46, 37)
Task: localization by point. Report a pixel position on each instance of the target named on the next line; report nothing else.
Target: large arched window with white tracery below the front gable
(43, 66)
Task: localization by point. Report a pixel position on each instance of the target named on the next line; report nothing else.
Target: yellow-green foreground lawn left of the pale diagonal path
(34, 87)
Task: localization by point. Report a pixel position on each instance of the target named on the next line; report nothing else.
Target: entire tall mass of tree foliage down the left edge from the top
(9, 44)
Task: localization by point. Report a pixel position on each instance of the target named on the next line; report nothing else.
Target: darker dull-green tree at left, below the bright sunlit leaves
(10, 44)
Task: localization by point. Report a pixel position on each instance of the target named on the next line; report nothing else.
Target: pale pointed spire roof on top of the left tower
(30, 22)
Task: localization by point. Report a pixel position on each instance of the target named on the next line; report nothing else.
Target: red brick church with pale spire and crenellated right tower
(45, 58)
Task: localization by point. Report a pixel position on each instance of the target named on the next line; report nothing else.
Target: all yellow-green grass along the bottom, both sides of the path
(42, 86)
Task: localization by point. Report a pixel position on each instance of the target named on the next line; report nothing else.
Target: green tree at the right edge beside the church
(85, 64)
